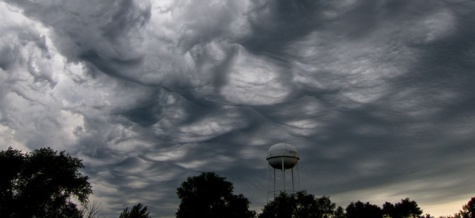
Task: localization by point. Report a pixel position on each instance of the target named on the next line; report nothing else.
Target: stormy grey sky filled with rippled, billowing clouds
(377, 96)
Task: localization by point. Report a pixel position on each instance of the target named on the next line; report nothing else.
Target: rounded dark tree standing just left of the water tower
(209, 195)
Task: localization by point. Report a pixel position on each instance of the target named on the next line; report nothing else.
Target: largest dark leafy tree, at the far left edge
(41, 184)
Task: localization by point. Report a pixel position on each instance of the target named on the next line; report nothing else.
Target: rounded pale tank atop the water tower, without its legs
(282, 153)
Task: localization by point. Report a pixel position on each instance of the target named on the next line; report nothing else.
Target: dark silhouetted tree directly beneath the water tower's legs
(299, 204)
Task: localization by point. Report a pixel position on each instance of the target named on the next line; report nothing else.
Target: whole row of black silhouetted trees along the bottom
(43, 183)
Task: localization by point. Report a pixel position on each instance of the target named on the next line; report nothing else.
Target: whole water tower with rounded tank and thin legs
(282, 156)
